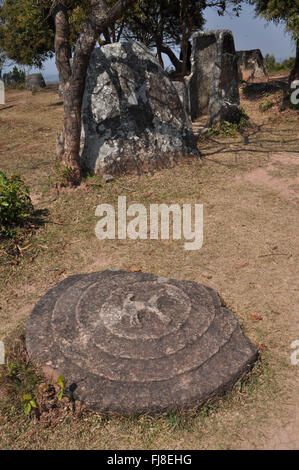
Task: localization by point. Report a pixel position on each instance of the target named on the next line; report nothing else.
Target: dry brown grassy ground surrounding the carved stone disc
(249, 186)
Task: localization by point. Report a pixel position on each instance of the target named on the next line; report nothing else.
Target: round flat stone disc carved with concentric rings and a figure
(137, 343)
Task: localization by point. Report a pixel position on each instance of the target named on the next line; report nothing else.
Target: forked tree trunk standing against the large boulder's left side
(100, 18)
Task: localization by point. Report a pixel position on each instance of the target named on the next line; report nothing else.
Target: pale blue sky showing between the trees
(249, 33)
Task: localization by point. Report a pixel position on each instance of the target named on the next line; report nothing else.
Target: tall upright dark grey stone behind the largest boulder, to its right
(213, 83)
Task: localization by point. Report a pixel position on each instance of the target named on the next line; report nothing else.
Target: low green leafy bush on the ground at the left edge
(15, 204)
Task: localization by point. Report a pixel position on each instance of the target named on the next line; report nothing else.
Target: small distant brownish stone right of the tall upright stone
(251, 65)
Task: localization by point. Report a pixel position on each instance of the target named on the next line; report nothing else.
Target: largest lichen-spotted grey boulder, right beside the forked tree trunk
(133, 119)
